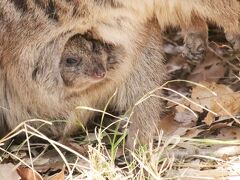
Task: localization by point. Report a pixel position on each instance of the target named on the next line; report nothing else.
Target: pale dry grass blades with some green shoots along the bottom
(171, 157)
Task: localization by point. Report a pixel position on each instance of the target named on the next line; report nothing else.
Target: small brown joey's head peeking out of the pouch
(86, 61)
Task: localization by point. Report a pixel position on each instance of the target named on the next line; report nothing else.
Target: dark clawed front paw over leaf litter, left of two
(195, 46)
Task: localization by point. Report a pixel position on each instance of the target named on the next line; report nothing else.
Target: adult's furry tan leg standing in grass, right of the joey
(147, 73)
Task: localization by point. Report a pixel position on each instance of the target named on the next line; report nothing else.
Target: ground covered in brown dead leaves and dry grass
(199, 136)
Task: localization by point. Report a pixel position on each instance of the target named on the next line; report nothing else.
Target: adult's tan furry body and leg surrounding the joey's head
(33, 36)
